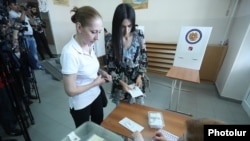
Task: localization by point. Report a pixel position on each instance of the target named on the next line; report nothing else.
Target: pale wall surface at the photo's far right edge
(233, 79)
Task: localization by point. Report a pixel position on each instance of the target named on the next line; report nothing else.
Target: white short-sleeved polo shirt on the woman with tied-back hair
(75, 61)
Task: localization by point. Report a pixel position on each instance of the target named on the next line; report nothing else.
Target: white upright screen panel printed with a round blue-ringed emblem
(191, 46)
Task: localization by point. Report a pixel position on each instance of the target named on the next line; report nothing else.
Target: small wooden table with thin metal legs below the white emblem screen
(179, 73)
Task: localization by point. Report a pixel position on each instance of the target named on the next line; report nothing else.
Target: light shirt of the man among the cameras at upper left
(14, 15)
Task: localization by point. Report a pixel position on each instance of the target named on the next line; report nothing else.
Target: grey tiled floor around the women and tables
(53, 121)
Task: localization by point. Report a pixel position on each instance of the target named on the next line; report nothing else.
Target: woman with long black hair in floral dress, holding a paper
(126, 55)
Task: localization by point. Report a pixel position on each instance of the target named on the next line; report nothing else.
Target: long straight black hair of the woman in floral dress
(122, 11)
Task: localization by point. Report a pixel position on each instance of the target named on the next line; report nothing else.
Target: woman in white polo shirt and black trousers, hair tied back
(80, 67)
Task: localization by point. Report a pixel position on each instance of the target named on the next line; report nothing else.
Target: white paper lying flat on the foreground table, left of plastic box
(131, 125)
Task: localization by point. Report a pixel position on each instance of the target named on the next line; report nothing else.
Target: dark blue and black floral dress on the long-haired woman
(134, 63)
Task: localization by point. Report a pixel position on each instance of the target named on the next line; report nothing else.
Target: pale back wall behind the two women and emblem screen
(162, 19)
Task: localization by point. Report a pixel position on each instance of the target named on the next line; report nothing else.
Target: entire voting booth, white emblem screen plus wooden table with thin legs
(189, 54)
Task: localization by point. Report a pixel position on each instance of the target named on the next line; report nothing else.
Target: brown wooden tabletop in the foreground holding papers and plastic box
(174, 122)
